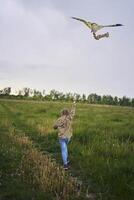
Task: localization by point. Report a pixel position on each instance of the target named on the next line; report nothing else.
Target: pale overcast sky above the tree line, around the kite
(41, 47)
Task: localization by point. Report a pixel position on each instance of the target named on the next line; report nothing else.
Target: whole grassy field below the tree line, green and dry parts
(101, 152)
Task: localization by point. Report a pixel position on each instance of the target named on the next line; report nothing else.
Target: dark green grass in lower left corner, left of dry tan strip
(11, 185)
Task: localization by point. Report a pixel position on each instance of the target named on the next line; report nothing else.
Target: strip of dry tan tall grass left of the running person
(42, 172)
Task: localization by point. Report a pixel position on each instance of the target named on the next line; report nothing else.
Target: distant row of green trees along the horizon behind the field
(54, 95)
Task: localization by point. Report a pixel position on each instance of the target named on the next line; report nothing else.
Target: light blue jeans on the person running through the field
(64, 149)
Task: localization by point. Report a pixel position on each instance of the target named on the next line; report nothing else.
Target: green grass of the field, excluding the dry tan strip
(101, 149)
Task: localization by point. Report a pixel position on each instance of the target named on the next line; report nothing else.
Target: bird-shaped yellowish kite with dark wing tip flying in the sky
(96, 27)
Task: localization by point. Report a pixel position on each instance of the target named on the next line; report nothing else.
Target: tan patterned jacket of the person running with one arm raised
(64, 124)
